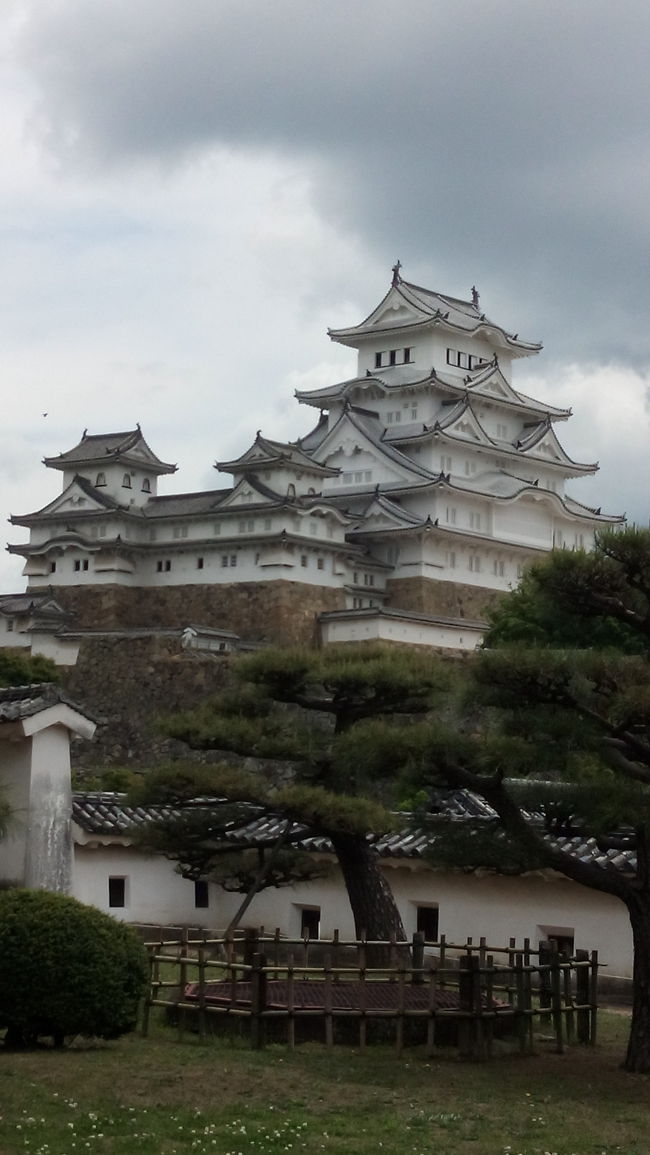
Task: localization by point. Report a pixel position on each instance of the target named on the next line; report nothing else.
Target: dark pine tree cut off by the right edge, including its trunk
(561, 744)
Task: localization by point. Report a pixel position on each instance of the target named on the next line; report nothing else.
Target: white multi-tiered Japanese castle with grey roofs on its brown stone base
(423, 490)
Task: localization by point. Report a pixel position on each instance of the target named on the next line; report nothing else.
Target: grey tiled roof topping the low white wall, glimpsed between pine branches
(104, 814)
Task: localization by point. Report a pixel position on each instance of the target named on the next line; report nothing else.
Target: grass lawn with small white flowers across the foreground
(160, 1097)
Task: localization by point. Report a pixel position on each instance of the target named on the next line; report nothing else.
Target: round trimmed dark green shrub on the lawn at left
(66, 970)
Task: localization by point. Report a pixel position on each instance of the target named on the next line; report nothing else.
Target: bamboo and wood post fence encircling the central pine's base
(434, 994)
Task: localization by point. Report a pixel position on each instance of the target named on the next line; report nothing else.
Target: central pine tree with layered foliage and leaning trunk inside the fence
(324, 729)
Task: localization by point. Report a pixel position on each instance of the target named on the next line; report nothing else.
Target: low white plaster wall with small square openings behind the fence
(498, 908)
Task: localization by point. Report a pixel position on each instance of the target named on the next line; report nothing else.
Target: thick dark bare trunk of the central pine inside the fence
(373, 906)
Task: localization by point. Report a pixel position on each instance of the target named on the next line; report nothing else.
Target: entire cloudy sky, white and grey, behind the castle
(192, 191)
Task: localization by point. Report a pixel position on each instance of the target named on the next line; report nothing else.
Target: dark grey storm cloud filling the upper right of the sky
(483, 140)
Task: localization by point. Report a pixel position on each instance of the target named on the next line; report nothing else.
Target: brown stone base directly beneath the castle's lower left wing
(277, 612)
